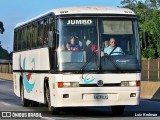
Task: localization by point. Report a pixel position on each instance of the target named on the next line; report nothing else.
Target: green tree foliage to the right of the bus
(148, 14)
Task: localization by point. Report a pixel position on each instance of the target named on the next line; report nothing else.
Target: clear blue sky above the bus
(15, 11)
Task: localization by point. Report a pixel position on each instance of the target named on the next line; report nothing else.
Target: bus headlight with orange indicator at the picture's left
(68, 84)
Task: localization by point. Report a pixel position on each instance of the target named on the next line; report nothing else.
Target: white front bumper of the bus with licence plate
(96, 96)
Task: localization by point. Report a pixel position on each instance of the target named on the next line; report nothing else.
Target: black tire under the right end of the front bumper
(117, 110)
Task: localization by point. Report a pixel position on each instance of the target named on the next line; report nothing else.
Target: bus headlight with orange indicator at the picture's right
(130, 83)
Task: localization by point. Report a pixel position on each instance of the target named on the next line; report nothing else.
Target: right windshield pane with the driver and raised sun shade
(119, 44)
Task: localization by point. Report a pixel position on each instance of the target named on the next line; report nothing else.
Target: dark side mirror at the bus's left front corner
(51, 39)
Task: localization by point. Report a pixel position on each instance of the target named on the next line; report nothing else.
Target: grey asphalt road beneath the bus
(11, 103)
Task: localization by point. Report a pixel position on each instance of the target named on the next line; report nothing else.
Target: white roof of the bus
(83, 10)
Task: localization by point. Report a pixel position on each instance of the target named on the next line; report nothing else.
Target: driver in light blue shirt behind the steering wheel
(112, 48)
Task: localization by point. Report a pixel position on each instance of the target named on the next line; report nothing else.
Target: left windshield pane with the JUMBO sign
(77, 44)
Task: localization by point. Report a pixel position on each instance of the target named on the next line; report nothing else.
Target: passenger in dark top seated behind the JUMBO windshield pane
(72, 46)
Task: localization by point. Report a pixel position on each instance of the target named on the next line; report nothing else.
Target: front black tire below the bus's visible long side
(51, 109)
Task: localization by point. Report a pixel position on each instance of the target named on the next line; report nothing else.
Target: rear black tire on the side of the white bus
(25, 102)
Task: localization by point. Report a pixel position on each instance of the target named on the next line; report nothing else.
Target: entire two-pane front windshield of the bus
(78, 40)
